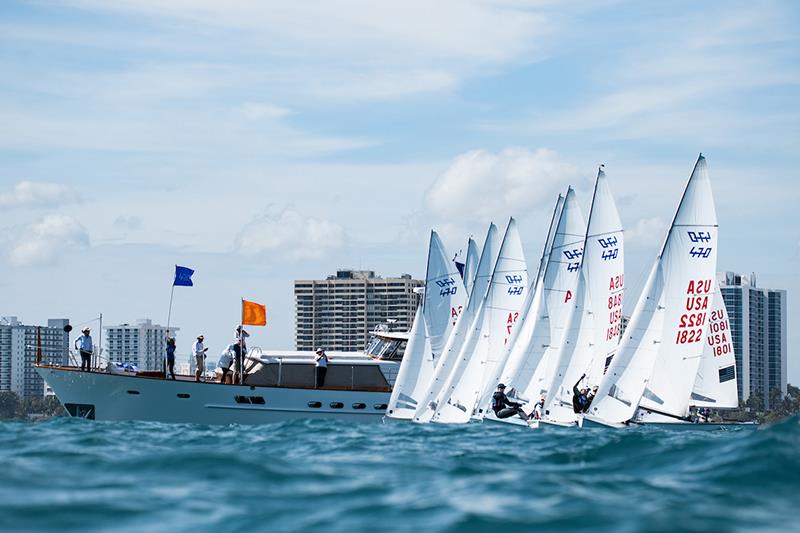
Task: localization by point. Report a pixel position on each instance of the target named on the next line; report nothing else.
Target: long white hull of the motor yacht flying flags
(103, 396)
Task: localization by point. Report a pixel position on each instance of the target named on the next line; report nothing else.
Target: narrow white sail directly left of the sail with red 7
(449, 358)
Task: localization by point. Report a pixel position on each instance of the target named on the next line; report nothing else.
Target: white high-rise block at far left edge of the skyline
(19, 346)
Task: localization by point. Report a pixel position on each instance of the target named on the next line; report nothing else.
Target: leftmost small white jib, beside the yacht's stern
(415, 374)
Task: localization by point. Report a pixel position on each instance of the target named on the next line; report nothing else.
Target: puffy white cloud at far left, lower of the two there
(47, 239)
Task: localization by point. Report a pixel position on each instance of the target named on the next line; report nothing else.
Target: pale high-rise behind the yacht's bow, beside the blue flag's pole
(144, 344)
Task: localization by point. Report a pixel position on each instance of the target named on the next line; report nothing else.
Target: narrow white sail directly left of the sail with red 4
(518, 345)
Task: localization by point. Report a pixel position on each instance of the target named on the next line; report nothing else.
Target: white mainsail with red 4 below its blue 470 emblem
(536, 371)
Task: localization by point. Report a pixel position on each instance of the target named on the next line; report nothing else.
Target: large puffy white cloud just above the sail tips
(480, 185)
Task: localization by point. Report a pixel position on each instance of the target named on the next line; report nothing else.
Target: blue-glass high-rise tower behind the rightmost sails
(758, 328)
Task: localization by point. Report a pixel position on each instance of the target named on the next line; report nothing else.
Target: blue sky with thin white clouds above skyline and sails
(262, 142)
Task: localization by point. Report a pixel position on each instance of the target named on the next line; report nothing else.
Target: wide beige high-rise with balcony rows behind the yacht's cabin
(340, 312)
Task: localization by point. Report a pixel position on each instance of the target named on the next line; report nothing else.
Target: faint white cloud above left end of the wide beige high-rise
(290, 234)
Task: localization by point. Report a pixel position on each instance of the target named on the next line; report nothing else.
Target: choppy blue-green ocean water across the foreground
(76, 475)
